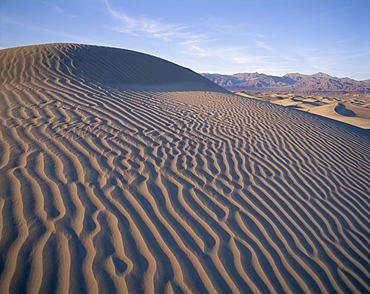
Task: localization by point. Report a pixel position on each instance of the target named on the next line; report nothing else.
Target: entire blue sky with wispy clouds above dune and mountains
(230, 36)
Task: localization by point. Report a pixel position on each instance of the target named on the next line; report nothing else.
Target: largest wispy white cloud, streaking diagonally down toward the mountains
(206, 40)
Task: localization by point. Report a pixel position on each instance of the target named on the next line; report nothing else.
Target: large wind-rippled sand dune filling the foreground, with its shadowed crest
(124, 173)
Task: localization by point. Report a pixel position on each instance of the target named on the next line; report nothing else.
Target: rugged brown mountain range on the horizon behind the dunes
(291, 82)
